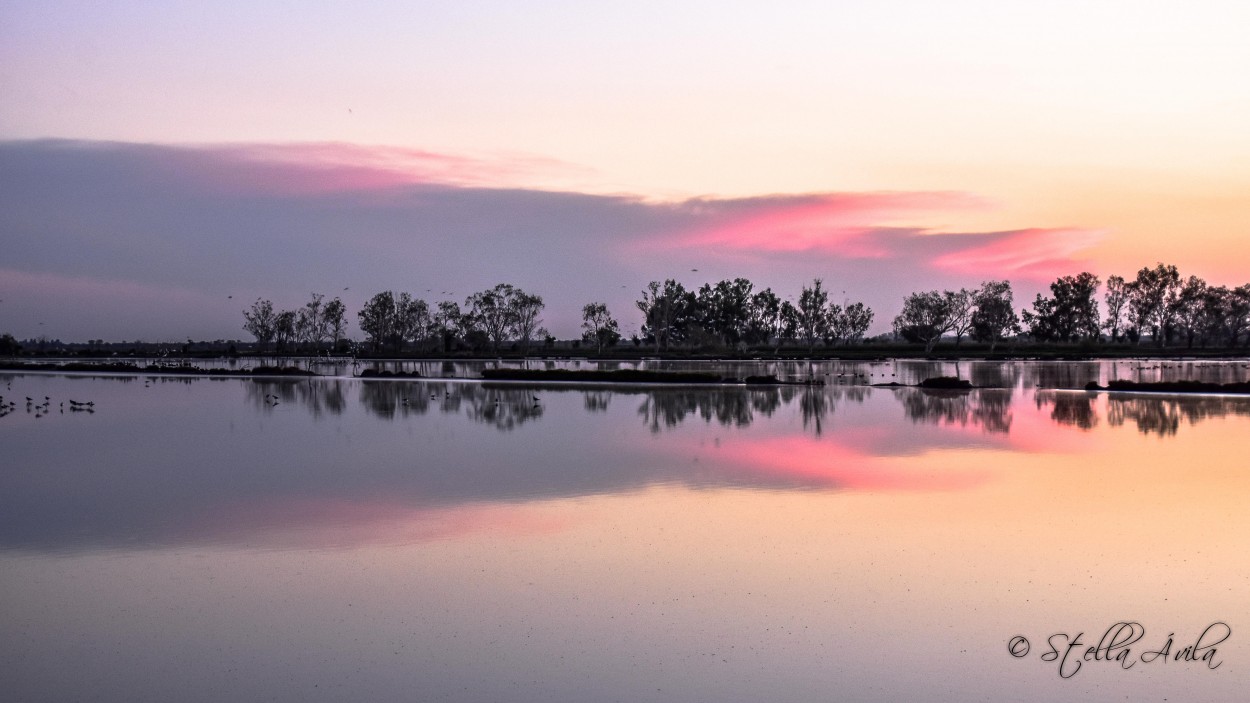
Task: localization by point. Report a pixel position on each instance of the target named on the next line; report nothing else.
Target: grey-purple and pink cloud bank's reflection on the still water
(184, 462)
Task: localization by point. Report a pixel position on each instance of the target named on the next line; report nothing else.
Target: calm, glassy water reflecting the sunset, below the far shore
(341, 540)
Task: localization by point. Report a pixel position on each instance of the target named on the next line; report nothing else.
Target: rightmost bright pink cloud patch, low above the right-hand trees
(1041, 255)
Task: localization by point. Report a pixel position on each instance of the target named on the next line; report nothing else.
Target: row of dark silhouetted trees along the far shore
(732, 315)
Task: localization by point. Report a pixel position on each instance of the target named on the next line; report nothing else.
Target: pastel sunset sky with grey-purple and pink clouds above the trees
(164, 164)
